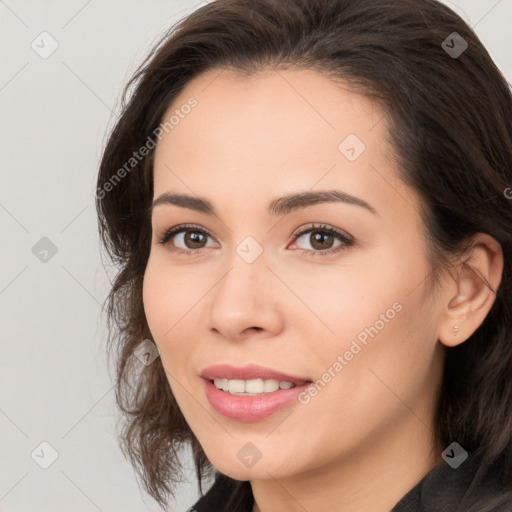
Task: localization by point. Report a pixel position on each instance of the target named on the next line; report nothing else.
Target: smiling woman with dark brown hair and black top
(377, 377)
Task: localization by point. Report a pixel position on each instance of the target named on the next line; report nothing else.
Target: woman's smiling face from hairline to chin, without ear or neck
(345, 311)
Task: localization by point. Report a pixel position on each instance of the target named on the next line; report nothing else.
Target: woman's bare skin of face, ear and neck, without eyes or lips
(367, 437)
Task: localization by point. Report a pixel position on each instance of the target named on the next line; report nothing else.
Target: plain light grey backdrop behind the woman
(56, 393)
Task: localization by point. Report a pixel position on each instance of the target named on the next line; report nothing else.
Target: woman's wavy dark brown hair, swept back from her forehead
(450, 125)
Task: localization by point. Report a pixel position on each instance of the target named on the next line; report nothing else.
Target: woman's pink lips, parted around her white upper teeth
(250, 408)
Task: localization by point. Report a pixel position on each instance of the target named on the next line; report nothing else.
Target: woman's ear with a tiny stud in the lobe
(472, 293)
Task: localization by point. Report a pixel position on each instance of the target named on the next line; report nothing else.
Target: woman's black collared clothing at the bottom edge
(472, 487)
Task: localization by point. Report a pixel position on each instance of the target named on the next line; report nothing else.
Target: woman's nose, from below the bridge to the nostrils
(245, 301)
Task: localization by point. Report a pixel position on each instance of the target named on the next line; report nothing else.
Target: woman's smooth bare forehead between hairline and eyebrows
(270, 133)
